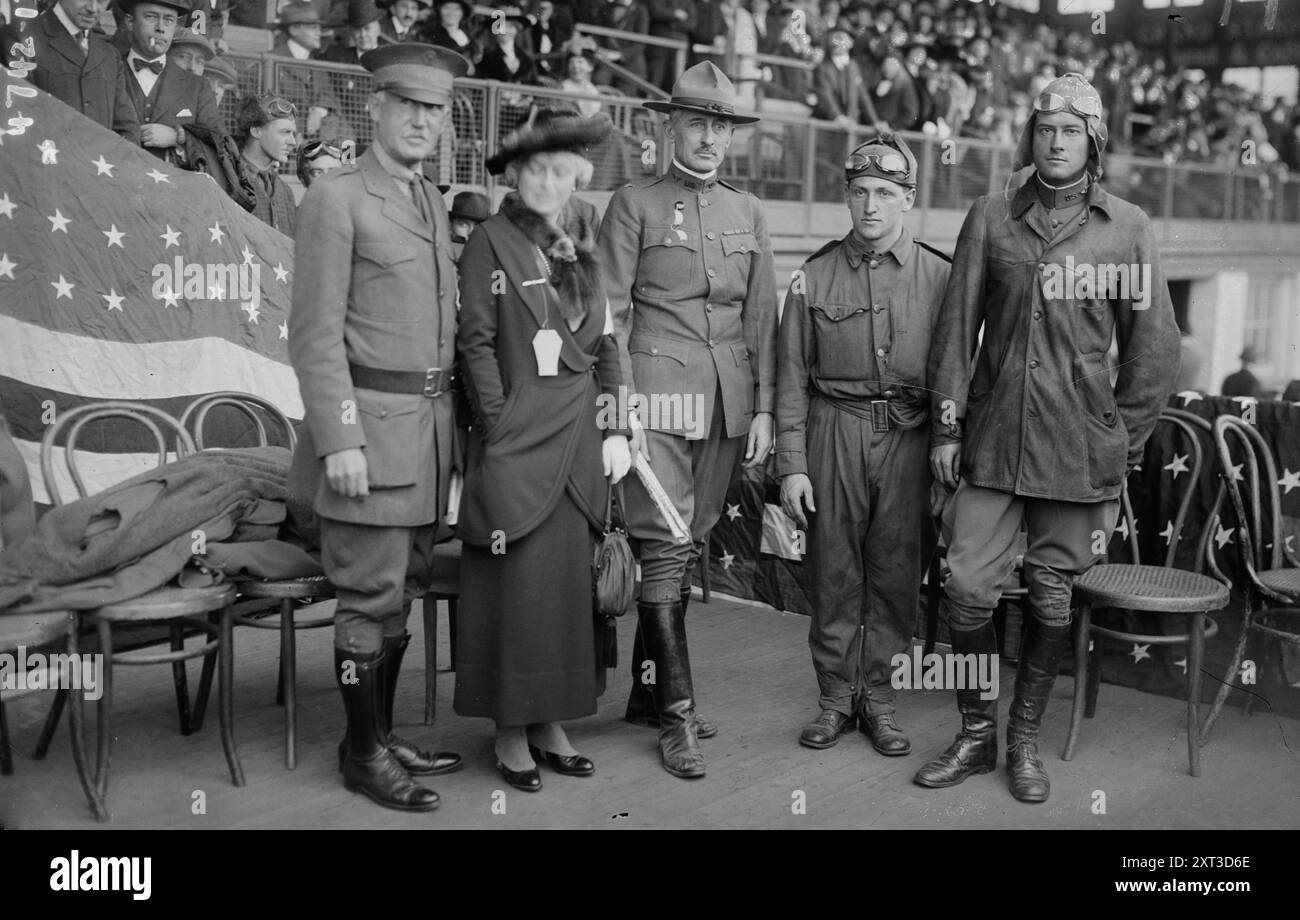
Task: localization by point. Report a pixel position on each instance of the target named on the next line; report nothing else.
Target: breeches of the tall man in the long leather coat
(1064, 541)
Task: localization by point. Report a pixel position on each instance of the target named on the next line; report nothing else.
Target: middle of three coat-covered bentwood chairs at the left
(207, 610)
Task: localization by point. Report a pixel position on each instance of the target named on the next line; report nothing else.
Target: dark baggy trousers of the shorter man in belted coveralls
(869, 544)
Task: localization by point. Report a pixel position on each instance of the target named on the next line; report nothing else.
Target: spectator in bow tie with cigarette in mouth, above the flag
(167, 98)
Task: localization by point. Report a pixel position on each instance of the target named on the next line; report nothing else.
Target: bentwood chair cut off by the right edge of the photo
(1269, 575)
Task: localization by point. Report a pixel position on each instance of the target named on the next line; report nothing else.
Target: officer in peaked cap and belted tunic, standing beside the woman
(374, 361)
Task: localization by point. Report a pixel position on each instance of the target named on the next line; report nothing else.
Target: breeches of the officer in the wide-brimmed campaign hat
(696, 475)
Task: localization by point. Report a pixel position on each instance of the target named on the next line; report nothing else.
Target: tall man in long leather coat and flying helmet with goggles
(1034, 429)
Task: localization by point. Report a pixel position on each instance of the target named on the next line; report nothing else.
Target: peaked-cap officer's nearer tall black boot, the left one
(370, 769)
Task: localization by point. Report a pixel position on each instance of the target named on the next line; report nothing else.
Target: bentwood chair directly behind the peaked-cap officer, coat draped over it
(283, 593)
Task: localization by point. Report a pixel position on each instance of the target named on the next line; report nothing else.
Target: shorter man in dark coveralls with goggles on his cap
(852, 441)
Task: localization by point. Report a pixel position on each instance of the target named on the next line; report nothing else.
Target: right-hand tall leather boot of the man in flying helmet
(1041, 659)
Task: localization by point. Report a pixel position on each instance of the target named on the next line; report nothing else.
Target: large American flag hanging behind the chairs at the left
(125, 279)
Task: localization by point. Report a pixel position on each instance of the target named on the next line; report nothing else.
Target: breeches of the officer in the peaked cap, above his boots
(376, 572)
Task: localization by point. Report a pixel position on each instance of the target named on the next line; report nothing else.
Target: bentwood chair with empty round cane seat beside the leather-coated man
(1155, 589)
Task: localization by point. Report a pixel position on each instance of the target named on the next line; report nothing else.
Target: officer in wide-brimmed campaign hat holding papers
(694, 289)
